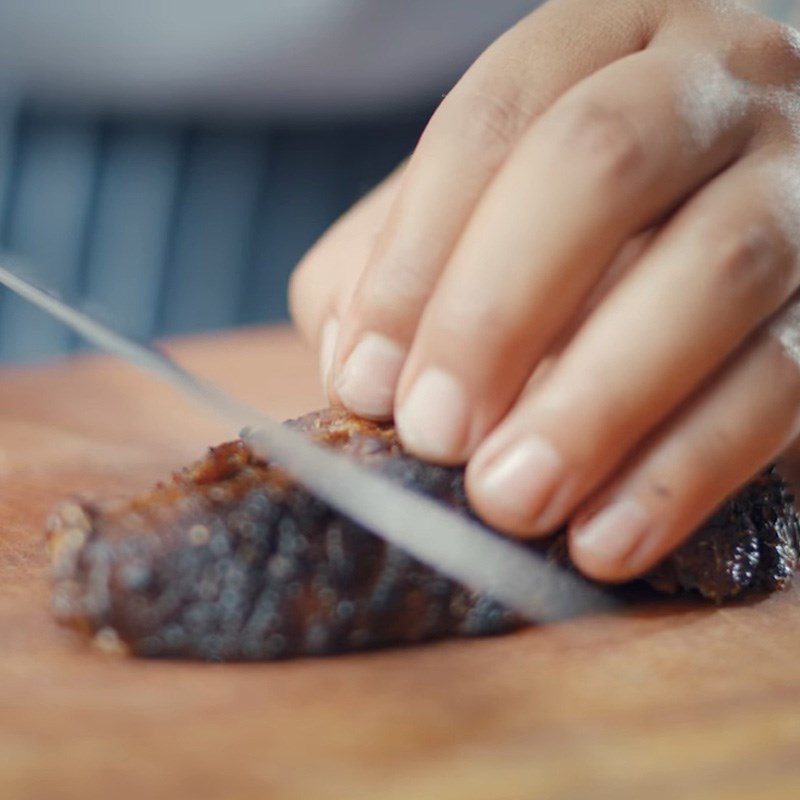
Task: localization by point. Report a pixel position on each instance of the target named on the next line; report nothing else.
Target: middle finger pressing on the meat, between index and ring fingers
(609, 159)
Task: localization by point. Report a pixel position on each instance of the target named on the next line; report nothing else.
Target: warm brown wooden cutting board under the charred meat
(673, 700)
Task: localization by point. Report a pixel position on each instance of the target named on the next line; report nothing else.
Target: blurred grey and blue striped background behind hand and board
(167, 162)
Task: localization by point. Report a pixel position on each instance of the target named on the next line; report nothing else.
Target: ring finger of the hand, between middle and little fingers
(722, 266)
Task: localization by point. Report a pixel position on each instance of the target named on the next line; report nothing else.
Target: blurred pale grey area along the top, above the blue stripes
(245, 57)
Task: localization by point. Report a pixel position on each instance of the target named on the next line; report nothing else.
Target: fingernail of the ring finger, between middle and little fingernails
(520, 481)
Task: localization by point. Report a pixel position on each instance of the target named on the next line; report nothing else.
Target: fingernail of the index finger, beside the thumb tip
(368, 380)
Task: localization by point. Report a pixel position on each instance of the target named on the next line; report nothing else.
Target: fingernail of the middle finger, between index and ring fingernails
(433, 419)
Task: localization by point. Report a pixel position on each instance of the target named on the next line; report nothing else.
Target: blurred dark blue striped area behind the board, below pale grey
(166, 228)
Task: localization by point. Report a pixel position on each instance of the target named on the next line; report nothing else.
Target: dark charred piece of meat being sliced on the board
(231, 560)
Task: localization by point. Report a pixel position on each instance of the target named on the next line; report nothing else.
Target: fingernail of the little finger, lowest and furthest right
(611, 536)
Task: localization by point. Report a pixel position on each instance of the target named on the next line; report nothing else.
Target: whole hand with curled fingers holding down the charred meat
(572, 284)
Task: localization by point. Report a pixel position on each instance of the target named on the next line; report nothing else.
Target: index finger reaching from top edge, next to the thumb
(467, 140)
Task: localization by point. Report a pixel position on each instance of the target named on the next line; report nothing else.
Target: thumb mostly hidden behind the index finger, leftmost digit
(322, 284)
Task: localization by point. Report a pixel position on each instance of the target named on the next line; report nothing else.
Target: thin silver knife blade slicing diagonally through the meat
(457, 546)
